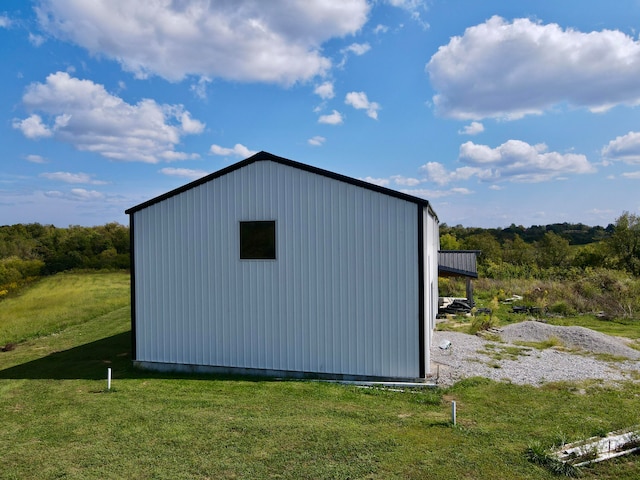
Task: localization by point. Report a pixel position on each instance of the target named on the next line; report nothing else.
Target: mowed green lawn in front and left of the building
(57, 420)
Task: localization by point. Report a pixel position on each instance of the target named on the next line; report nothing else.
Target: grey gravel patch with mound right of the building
(469, 356)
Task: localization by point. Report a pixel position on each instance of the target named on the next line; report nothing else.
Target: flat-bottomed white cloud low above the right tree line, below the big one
(514, 161)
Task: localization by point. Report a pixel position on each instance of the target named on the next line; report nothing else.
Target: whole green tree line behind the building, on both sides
(558, 250)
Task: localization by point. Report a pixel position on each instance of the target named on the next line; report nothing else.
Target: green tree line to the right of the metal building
(557, 250)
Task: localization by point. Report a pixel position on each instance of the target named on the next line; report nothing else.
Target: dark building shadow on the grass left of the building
(89, 362)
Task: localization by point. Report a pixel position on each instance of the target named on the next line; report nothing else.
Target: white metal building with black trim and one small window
(274, 267)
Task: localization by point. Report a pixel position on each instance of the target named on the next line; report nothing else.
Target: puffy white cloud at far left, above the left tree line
(85, 115)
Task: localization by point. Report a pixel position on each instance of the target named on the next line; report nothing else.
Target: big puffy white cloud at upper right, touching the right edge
(511, 69)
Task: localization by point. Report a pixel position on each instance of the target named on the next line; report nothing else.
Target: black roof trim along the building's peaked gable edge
(265, 156)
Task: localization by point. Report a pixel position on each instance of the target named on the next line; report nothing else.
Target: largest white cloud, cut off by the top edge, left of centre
(240, 40)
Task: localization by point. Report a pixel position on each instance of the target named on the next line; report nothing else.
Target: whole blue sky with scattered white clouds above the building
(497, 112)
